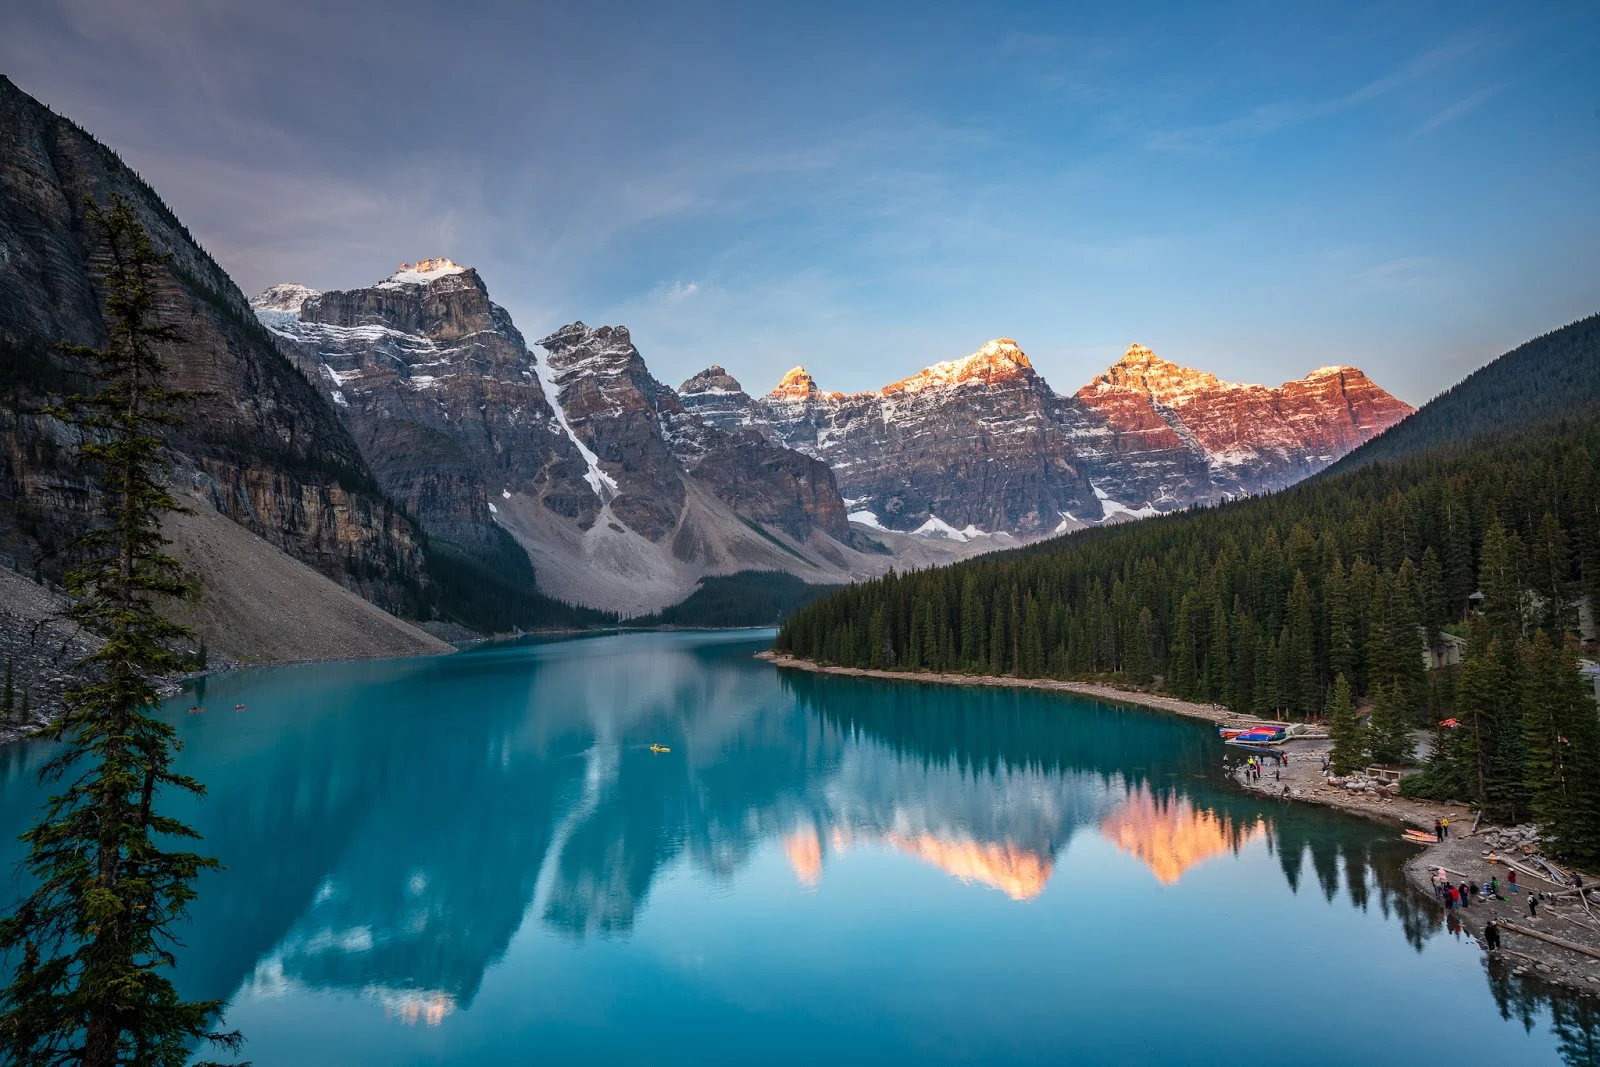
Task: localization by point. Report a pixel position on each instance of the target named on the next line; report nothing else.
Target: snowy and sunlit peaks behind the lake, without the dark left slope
(626, 494)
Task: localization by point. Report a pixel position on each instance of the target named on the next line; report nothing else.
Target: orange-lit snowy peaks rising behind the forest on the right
(983, 444)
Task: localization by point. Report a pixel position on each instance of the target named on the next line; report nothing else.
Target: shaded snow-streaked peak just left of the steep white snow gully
(439, 391)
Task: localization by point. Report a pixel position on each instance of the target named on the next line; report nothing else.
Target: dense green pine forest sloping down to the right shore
(1334, 597)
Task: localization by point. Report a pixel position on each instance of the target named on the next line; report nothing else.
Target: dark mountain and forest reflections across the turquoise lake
(391, 831)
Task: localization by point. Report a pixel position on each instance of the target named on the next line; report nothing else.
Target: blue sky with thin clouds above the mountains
(1254, 190)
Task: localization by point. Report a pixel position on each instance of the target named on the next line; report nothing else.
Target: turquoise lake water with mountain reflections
(479, 860)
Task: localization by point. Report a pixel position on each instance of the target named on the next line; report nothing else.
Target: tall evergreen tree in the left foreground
(92, 945)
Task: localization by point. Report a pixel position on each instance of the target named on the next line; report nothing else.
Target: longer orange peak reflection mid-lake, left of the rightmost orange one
(1018, 873)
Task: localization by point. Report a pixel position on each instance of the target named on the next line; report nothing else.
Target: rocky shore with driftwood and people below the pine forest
(1559, 946)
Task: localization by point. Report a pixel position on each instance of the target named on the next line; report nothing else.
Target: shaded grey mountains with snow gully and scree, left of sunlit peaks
(569, 454)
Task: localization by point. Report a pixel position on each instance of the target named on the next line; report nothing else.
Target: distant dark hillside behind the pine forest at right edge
(1550, 378)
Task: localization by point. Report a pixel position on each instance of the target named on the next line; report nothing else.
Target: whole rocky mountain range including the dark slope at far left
(407, 444)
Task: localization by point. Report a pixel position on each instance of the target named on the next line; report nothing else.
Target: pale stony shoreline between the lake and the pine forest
(1463, 855)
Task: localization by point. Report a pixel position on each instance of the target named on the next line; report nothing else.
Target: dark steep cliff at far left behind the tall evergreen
(258, 442)
